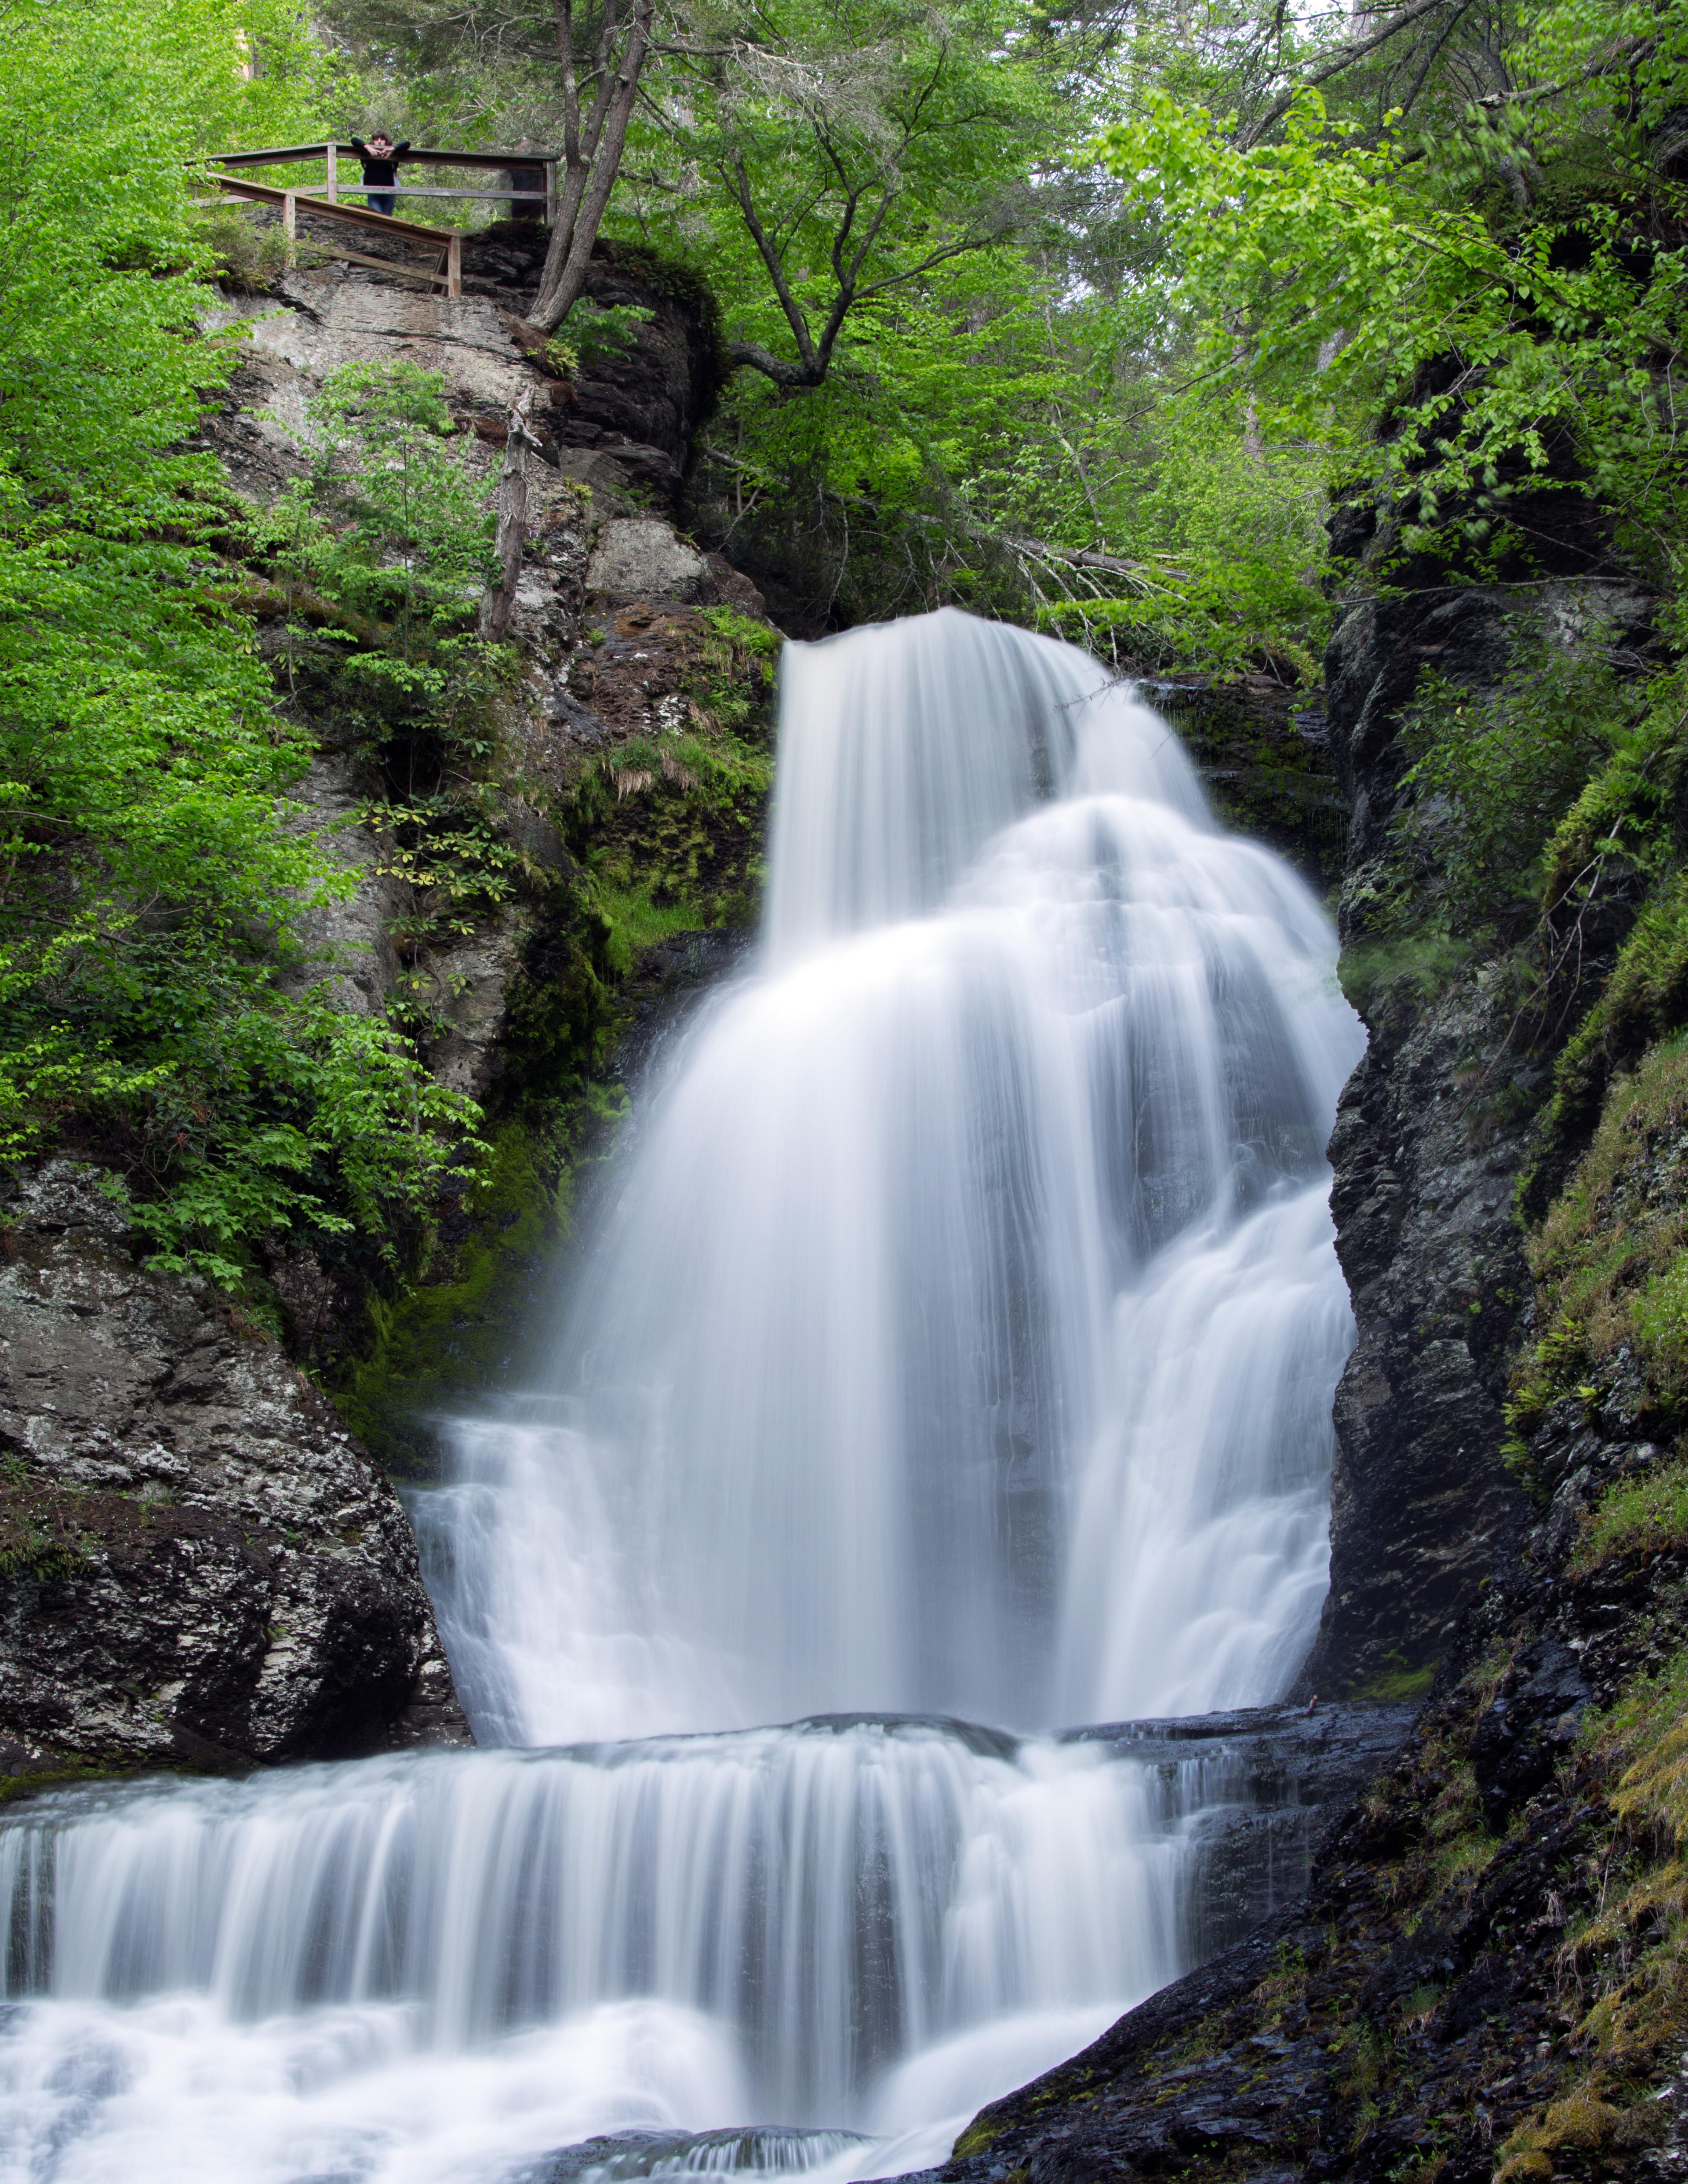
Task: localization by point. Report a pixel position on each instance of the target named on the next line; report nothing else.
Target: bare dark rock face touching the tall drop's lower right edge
(1425, 1165)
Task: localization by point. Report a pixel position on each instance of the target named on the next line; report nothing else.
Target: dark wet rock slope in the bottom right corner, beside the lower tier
(1438, 1986)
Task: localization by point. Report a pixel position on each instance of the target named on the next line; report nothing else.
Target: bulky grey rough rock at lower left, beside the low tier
(198, 1565)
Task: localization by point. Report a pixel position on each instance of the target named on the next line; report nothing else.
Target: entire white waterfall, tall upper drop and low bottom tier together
(958, 1349)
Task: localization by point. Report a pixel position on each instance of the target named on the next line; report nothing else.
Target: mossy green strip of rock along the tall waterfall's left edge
(667, 831)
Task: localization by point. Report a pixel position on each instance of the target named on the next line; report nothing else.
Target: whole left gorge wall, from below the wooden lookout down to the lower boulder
(202, 1563)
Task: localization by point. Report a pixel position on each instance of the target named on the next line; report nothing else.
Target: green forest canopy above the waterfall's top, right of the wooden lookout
(1012, 285)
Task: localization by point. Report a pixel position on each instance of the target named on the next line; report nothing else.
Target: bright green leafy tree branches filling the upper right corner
(1503, 272)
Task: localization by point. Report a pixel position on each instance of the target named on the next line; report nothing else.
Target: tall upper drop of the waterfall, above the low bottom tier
(964, 1329)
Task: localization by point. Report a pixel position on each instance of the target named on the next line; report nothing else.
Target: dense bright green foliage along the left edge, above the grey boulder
(154, 868)
